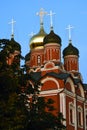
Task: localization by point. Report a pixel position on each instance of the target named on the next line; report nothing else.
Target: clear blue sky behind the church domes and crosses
(73, 12)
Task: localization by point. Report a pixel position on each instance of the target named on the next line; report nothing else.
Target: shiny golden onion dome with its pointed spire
(37, 40)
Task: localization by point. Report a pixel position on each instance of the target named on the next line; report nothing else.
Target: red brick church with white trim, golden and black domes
(61, 81)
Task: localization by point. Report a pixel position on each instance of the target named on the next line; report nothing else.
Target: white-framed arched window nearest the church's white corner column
(71, 113)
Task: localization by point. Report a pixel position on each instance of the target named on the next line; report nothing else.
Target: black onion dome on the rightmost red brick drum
(70, 50)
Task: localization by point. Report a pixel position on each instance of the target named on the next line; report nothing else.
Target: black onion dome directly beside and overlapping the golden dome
(52, 38)
